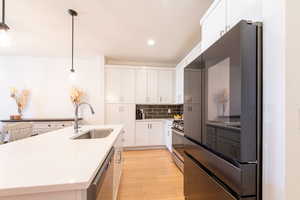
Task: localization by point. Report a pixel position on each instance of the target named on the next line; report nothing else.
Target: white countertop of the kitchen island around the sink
(53, 161)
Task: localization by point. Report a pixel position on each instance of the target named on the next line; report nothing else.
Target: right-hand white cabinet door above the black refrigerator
(238, 10)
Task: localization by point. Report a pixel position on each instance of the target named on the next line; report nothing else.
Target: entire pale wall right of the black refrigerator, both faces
(281, 99)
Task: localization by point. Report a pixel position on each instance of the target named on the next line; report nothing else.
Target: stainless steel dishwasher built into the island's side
(102, 186)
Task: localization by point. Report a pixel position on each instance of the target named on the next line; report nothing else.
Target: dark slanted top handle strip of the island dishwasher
(96, 184)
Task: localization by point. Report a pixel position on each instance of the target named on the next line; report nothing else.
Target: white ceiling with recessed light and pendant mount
(119, 29)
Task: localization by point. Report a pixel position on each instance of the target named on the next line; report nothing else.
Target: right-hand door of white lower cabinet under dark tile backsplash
(156, 136)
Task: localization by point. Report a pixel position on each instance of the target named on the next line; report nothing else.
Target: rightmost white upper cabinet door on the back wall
(166, 86)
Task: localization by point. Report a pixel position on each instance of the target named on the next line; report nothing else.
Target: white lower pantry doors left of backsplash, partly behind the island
(122, 114)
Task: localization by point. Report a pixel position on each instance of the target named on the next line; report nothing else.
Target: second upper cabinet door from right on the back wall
(152, 86)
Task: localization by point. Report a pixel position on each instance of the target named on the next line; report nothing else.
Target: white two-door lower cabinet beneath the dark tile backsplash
(149, 134)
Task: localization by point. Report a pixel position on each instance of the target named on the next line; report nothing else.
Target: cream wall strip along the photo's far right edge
(292, 104)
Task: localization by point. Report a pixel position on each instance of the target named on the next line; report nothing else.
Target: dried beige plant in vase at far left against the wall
(21, 100)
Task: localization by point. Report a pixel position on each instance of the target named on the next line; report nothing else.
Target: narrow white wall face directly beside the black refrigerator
(274, 100)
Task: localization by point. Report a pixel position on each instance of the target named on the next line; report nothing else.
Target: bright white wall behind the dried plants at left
(49, 84)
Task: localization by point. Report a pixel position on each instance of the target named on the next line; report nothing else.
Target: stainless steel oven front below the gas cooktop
(178, 148)
